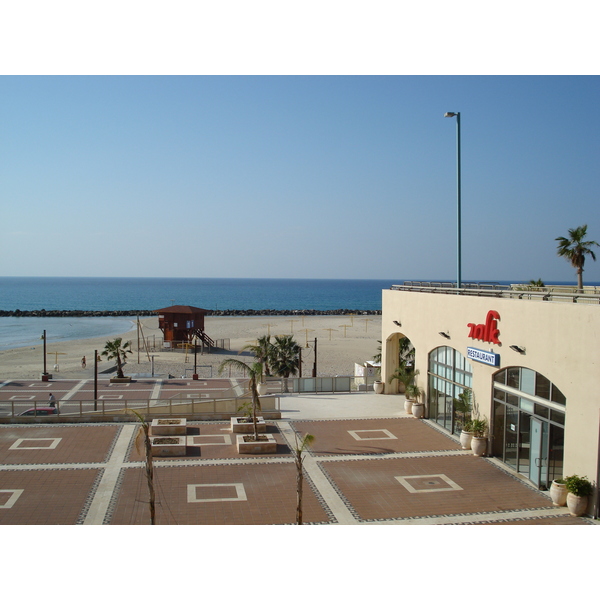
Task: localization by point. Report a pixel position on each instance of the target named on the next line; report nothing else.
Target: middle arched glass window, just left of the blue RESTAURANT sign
(449, 374)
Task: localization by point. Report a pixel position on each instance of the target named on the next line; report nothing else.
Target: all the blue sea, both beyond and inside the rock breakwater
(116, 294)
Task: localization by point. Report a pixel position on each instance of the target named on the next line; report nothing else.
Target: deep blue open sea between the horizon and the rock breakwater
(64, 293)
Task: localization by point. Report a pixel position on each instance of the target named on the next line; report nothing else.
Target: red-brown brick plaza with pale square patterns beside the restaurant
(369, 464)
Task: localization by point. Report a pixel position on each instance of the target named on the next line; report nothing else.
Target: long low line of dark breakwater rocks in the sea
(213, 313)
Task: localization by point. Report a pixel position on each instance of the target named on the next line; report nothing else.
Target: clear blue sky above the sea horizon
(347, 174)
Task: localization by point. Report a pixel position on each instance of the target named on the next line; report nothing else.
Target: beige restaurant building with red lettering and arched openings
(531, 359)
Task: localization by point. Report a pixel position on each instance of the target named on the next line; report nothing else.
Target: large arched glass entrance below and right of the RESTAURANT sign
(528, 424)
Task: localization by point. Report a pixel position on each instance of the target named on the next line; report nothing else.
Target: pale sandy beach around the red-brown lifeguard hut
(342, 342)
